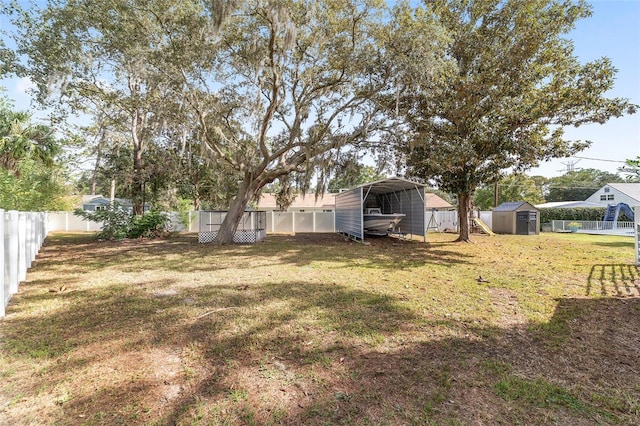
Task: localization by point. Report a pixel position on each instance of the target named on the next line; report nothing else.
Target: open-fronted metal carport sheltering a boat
(386, 197)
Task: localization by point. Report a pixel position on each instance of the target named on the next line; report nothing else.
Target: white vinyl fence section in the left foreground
(22, 234)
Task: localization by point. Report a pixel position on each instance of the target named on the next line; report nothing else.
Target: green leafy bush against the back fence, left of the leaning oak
(119, 223)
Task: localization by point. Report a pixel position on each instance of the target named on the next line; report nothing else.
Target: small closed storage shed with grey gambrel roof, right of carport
(518, 218)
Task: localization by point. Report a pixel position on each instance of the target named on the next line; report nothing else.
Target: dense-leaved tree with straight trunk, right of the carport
(517, 84)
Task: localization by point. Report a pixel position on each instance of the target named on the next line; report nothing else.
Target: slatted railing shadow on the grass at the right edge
(617, 280)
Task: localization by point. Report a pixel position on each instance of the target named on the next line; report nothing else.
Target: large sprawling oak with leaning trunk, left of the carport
(283, 87)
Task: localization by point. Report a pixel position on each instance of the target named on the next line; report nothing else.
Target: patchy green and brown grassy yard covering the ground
(314, 330)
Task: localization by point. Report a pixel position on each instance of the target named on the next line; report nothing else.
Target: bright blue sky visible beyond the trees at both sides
(612, 31)
